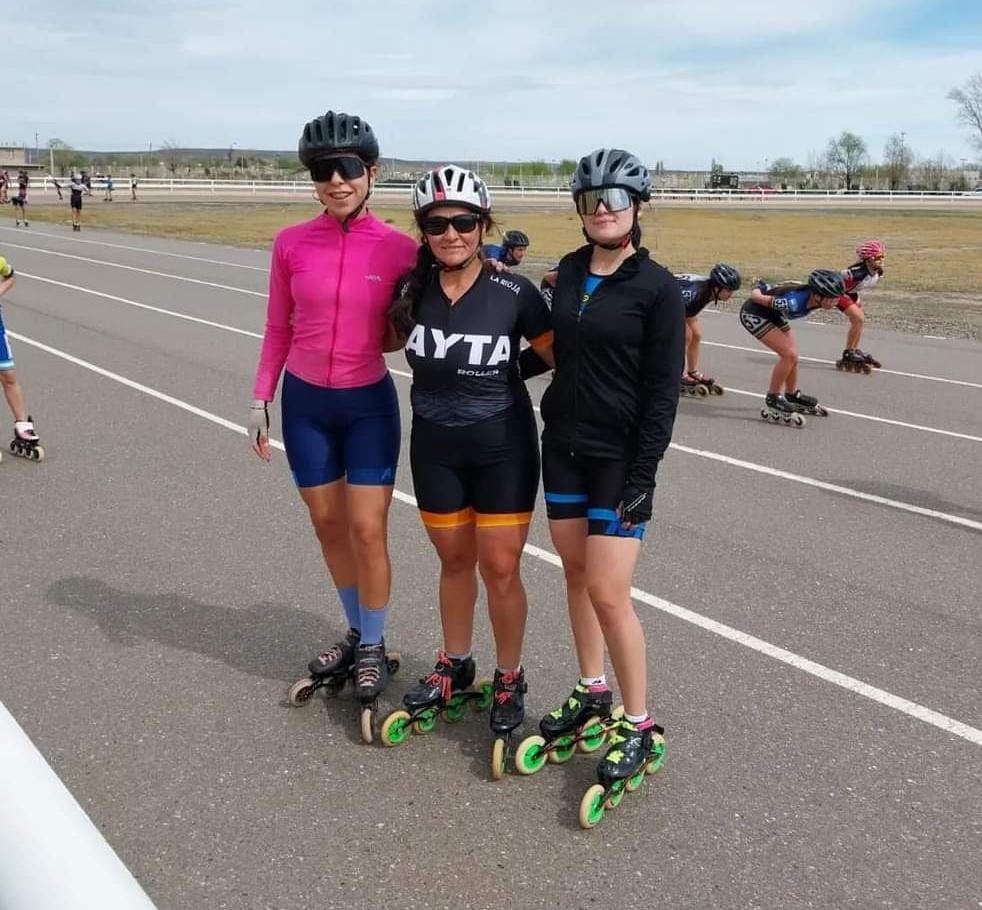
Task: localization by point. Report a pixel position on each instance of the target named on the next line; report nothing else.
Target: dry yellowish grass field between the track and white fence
(933, 283)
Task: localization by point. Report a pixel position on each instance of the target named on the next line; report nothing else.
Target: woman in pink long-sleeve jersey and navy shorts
(330, 285)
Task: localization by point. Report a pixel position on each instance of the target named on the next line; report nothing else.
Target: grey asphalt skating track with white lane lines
(811, 601)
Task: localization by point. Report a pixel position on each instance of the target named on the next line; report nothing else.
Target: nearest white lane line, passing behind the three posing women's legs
(881, 696)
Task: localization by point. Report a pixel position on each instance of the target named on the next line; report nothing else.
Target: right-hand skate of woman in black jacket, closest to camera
(635, 751)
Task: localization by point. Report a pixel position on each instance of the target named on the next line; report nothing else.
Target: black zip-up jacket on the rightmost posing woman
(618, 364)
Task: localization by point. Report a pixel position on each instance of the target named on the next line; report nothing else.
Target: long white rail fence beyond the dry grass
(157, 186)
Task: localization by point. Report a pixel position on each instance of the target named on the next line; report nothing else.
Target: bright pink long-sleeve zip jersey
(329, 291)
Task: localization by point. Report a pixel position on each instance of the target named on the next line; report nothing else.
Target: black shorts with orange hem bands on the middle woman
(486, 472)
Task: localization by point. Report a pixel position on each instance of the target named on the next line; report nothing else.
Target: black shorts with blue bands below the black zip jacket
(578, 486)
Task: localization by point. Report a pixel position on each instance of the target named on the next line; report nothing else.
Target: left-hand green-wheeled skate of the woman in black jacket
(581, 723)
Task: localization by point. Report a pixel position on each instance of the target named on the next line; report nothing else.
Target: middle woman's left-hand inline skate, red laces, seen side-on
(443, 694)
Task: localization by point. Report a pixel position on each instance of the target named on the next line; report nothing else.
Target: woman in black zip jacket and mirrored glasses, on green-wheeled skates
(619, 337)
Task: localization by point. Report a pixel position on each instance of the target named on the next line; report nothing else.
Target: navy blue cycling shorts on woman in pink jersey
(335, 433)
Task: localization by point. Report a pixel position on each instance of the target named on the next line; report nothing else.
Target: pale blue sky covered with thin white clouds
(681, 81)
